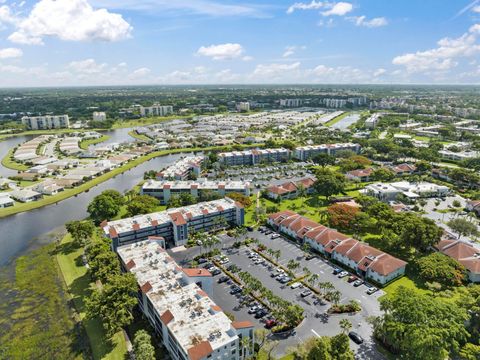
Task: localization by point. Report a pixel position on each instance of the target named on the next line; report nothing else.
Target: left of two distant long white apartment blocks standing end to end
(253, 157)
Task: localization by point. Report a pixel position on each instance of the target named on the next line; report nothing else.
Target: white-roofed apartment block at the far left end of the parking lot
(174, 225)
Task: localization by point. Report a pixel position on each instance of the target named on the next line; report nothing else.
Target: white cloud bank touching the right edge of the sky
(445, 56)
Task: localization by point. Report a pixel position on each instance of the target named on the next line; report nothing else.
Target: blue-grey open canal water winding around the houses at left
(24, 231)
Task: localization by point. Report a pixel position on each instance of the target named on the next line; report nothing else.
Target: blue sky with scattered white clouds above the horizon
(140, 42)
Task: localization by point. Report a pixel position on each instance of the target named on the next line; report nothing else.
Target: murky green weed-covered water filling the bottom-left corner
(35, 318)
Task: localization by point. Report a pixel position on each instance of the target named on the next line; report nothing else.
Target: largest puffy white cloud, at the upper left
(72, 20)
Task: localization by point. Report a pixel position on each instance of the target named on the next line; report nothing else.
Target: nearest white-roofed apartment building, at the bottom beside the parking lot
(176, 302)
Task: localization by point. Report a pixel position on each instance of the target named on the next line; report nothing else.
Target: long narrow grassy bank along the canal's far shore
(48, 200)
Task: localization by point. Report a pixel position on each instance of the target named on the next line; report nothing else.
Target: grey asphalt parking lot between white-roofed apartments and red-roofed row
(316, 322)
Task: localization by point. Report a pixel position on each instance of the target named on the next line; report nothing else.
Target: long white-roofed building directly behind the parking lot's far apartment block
(164, 190)
